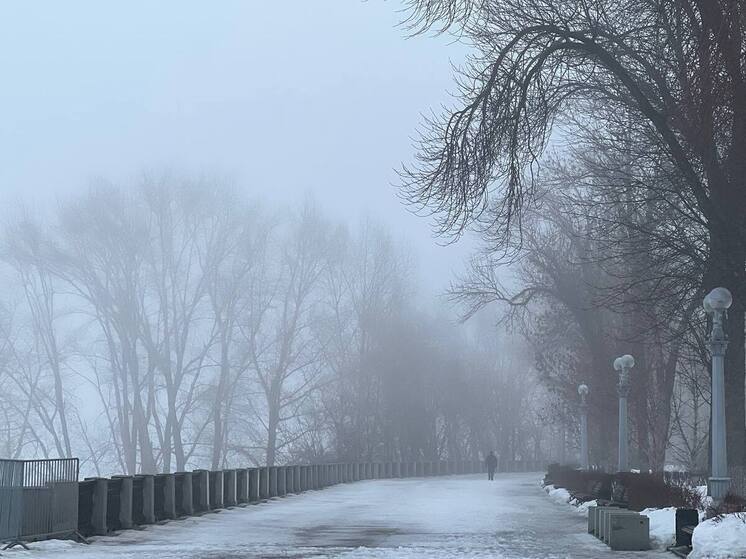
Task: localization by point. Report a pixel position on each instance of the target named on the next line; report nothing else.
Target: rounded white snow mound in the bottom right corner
(720, 539)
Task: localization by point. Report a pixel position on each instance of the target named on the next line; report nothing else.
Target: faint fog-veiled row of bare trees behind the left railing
(177, 323)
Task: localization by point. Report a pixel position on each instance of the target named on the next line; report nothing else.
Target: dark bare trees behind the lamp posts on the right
(639, 213)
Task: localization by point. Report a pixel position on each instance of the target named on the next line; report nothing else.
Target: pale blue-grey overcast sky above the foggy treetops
(284, 97)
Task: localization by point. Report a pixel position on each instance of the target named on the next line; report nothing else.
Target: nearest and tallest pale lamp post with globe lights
(716, 303)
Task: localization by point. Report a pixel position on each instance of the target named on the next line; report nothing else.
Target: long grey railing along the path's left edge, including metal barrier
(44, 499)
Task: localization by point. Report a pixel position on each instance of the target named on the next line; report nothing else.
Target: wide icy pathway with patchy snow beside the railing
(436, 518)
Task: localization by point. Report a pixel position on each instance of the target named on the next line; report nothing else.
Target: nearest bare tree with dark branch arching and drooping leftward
(675, 66)
